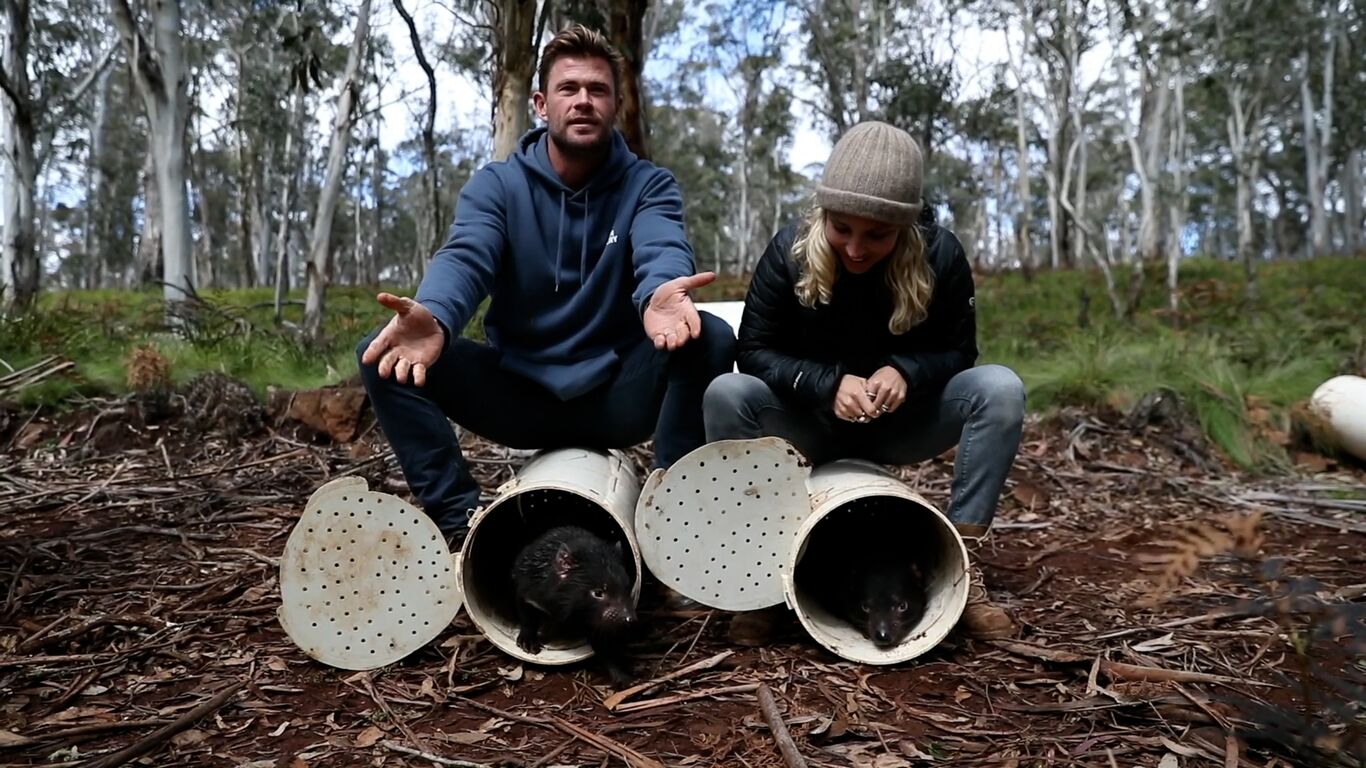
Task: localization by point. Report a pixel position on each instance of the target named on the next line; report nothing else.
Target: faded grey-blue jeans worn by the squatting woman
(981, 411)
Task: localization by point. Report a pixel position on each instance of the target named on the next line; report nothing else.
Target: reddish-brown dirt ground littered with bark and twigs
(1173, 612)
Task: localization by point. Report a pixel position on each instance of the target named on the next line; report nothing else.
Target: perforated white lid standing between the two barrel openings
(718, 525)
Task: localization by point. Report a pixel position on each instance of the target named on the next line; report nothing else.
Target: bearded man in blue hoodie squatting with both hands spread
(592, 337)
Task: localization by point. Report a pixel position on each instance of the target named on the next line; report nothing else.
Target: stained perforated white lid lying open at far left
(365, 579)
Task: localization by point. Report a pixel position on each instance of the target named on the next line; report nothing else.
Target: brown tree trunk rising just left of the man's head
(514, 66)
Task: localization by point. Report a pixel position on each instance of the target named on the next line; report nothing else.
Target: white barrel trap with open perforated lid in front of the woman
(729, 523)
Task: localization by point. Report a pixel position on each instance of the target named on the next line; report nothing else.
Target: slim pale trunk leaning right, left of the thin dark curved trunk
(320, 244)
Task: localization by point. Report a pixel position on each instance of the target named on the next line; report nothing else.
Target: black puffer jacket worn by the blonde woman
(804, 353)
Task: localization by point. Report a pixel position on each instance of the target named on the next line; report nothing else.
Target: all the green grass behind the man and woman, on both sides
(1308, 325)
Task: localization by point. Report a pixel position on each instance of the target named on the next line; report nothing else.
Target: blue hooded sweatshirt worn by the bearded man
(570, 271)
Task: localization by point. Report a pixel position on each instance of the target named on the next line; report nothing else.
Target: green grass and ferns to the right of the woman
(1222, 357)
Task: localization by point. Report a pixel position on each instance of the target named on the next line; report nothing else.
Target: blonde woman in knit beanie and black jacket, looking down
(859, 341)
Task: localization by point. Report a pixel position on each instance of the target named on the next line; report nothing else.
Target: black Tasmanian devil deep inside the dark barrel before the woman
(868, 572)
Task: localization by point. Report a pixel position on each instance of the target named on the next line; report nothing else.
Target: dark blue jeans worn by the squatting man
(654, 393)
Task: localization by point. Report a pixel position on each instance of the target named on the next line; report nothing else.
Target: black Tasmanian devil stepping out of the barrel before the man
(570, 583)
